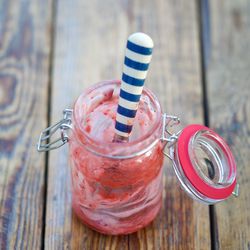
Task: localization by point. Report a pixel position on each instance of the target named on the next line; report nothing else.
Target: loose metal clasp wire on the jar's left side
(63, 125)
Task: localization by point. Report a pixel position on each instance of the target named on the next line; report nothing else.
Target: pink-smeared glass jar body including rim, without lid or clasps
(115, 193)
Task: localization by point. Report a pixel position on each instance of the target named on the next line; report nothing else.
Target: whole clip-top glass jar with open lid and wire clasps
(117, 187)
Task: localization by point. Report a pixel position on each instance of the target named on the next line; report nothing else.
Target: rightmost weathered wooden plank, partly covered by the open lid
(228, 78)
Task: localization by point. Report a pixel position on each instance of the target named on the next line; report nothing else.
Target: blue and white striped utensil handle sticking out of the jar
(137, 58)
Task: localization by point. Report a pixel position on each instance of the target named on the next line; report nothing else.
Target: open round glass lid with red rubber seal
(204, 164)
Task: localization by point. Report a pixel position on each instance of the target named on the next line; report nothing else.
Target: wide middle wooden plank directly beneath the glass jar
(89, 47)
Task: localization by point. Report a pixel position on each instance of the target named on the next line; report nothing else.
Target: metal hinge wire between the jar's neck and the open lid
(169, 137)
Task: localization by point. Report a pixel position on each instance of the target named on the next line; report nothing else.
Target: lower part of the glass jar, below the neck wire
(116, 196)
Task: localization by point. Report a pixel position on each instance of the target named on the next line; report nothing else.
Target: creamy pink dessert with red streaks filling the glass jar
(115, 195)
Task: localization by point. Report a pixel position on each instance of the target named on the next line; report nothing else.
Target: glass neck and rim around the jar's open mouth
(113, 149)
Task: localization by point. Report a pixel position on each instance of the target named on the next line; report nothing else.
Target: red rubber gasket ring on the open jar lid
(190, 172)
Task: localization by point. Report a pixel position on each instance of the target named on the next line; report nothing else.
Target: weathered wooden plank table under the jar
(50, 51)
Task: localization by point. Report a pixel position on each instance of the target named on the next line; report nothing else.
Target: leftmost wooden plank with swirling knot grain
(24, 63)
